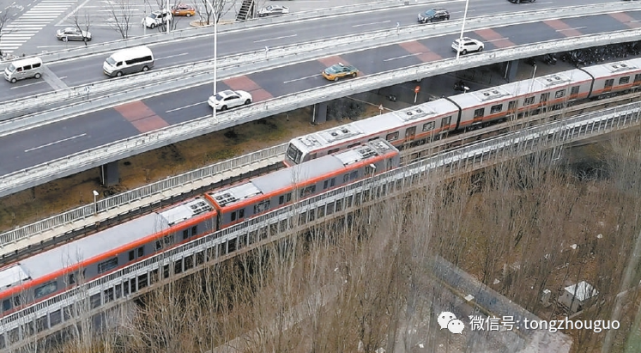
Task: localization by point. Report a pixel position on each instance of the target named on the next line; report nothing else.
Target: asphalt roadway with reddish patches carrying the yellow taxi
(39, 145)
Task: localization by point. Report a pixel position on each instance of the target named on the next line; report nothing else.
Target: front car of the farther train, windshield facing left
(398, 127)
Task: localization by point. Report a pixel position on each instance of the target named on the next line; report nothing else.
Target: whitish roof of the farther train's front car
(373, 125)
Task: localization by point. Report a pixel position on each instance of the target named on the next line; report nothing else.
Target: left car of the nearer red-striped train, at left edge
(51, 272)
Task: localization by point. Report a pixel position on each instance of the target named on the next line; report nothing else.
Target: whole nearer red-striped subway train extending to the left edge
(54, 271)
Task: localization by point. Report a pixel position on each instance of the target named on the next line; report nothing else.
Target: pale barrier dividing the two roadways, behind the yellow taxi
(259, 59)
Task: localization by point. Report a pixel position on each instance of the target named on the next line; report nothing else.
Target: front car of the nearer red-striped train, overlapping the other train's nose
(268, 192)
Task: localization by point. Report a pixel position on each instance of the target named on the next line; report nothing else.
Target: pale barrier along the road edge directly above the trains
(76, 162)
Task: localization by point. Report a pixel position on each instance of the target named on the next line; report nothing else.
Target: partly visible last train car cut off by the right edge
(614, 78)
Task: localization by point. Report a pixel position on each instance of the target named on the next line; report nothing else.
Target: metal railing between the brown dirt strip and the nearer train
(138, 194)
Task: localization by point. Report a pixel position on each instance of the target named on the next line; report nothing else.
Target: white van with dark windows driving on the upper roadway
(127, 61)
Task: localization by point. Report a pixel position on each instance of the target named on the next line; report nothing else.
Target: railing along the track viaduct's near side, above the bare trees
(103, 292)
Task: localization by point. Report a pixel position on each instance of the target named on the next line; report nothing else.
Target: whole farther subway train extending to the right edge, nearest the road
(472, 110)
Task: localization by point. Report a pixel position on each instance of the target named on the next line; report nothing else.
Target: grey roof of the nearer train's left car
(86, 248)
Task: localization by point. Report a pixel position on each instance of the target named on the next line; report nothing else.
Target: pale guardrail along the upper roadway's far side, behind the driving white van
(193, 33)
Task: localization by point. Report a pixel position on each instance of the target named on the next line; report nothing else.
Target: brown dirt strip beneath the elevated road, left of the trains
(76, 190)
